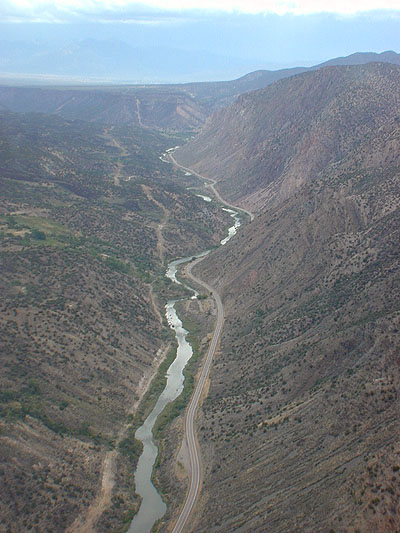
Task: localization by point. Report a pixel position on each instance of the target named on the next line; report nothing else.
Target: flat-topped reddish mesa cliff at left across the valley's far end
(167, 108)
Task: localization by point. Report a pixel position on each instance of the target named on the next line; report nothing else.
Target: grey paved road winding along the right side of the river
(190, 435)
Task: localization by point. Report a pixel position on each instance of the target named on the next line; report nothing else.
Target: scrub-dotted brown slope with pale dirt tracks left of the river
(88, 214)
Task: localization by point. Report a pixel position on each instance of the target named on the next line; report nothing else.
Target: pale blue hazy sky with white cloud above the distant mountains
(250, 34)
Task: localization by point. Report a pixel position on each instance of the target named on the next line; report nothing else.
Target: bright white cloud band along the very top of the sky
(158, 11)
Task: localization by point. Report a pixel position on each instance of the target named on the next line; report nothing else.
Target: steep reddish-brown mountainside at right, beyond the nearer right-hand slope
(270, 142)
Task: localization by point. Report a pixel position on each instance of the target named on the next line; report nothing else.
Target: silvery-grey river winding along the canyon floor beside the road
(152, 507)
